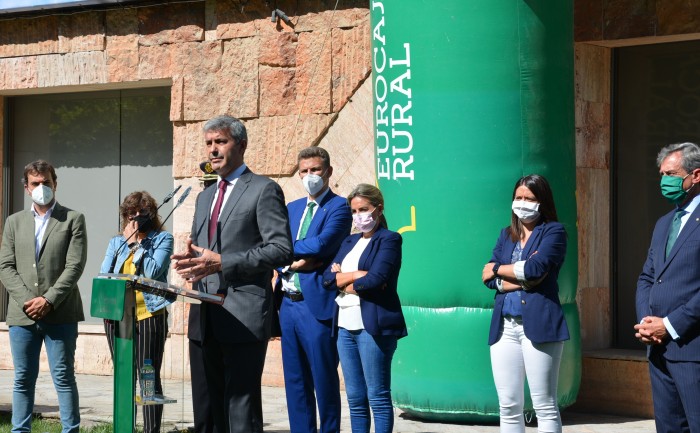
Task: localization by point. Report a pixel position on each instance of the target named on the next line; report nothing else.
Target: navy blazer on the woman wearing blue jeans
(379, 298)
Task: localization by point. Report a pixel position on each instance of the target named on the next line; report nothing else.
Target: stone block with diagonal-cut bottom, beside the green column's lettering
(351, 62)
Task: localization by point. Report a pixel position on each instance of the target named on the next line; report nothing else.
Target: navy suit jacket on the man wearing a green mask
(670, 287)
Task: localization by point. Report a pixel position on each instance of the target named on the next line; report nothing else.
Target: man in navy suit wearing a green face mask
(668, 295)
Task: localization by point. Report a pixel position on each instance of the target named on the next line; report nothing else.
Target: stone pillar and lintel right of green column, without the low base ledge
(599, 27)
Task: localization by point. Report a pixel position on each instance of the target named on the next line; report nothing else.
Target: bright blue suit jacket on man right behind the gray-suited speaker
(329, 226)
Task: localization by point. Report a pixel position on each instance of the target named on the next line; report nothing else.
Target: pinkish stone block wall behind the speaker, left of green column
(294, 85)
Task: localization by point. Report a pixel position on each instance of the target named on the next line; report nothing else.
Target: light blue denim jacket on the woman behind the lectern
(155, 252)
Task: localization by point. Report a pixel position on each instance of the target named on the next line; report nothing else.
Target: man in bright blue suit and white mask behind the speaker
(319, 223)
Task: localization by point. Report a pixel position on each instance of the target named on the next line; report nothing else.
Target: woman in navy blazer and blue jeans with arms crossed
(368, 313)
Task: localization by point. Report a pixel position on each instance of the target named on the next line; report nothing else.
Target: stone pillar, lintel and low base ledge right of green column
(599, 27)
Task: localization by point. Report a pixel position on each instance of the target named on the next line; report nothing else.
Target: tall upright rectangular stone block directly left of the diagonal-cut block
(313, 73)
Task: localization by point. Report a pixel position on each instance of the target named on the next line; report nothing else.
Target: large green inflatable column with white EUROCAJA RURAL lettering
(469, 95)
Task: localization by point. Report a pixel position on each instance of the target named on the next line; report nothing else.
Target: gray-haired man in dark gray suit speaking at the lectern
(239, 235)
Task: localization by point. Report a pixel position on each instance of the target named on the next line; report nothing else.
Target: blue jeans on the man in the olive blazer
(25, 343)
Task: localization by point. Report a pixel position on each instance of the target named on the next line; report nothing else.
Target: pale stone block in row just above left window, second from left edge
(88, 67)
